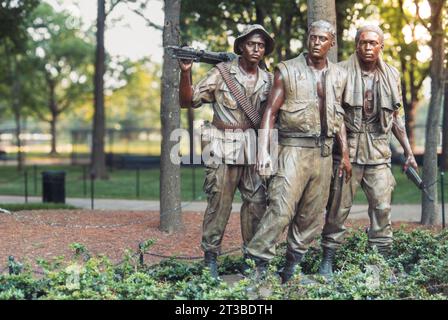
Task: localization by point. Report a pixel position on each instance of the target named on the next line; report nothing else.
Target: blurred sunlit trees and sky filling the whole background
(47, 65)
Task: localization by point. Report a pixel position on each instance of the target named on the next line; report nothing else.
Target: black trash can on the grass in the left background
(53, 186)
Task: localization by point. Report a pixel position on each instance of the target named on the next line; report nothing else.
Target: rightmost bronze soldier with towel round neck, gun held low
(372, 101)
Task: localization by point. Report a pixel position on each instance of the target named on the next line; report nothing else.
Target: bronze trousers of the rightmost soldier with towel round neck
(378, 183)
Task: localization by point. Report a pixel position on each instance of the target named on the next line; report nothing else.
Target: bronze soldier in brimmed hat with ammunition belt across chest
(238, 91)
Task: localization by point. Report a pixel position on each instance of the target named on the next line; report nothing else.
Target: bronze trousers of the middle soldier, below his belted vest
(297, 196)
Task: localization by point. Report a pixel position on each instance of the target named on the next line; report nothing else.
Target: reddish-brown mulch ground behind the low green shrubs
(28, 235)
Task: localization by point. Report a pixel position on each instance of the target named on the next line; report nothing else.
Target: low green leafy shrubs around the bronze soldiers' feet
(418, 264)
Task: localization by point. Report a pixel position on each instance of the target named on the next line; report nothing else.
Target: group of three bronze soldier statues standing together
(333, 123)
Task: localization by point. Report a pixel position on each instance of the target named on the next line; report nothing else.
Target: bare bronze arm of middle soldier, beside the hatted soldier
(275, 101)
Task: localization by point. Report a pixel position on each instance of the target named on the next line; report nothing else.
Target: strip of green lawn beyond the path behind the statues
(122, 184)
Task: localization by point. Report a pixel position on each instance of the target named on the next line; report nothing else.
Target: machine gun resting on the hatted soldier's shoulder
(196, 55)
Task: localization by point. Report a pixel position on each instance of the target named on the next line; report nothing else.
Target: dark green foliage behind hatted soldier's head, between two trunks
(214, 21)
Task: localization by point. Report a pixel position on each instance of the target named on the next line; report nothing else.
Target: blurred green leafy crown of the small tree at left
(61, 57)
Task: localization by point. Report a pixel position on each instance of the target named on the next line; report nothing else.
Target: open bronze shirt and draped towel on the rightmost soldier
(369, 142)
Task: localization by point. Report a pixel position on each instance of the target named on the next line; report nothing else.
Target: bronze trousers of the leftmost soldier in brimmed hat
(221, 182)
